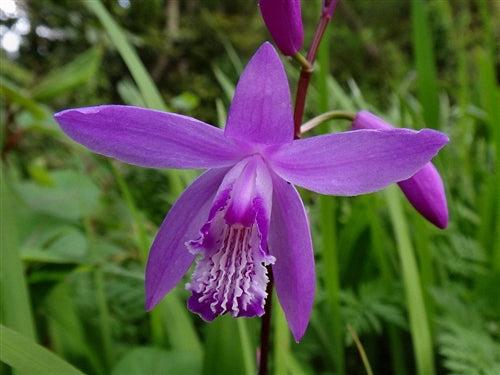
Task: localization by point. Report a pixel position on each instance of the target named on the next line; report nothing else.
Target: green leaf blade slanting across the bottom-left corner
(26, 356)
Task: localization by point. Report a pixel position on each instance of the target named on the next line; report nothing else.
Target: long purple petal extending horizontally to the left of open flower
(147, 137)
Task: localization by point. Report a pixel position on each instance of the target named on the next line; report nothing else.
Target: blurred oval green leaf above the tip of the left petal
(64, 78)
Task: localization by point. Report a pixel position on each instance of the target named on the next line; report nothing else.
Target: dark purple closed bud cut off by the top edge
(283, 19)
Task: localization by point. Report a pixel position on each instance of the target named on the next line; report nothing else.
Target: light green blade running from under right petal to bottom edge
(419, 324)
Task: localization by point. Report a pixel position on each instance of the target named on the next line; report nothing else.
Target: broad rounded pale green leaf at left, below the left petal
(73, 195)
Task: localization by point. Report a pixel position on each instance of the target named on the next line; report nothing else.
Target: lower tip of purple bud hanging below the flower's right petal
(425, 191)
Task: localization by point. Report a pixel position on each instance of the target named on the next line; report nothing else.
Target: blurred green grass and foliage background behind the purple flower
(76, 227)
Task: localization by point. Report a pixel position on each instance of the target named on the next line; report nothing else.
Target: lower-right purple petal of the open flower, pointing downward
(290, 243)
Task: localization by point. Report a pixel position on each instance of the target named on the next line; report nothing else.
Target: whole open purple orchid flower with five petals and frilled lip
(244, 213)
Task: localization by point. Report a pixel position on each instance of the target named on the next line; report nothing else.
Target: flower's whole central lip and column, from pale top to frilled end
(230, 275)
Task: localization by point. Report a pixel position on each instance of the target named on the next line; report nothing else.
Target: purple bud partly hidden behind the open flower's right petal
(424, 190)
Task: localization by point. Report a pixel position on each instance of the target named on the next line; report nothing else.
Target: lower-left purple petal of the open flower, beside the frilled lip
(169, 258)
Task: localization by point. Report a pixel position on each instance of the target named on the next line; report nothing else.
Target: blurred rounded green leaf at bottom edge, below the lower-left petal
(155, 361)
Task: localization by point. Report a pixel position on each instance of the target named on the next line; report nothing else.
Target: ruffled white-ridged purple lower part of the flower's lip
(231, 274)
